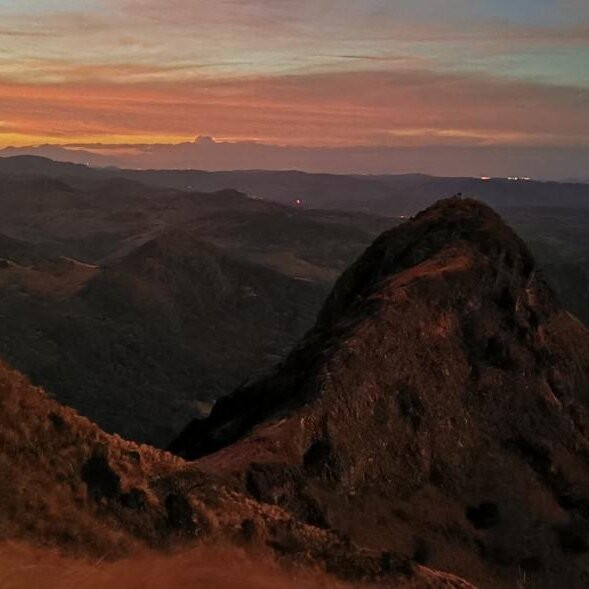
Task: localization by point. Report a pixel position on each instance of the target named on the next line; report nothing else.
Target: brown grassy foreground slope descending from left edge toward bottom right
(66, 484)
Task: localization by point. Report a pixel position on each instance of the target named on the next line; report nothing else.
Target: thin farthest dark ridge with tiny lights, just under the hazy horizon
(381, 194)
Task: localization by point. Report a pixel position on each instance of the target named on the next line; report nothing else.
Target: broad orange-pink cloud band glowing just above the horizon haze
(334, 109)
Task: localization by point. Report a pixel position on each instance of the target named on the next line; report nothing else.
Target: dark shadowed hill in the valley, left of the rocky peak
(136, 345)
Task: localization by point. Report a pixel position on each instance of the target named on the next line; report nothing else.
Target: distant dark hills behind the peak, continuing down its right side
(553, 217)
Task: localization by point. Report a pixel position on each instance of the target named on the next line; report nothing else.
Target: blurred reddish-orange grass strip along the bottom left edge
(25, 567)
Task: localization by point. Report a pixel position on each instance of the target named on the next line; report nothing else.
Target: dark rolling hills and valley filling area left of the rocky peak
(125, 301)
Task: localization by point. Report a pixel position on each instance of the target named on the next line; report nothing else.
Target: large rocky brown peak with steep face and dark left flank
(439, 410)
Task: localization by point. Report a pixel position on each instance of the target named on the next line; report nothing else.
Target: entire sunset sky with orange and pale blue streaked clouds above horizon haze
(297, 73)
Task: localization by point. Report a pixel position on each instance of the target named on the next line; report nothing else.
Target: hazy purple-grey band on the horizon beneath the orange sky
(206, 153)
